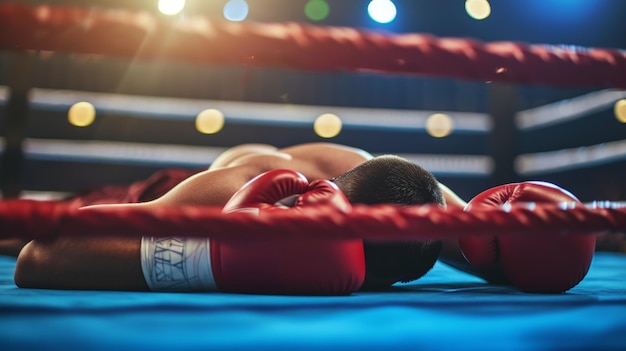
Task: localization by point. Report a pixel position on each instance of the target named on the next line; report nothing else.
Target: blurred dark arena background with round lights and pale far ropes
(135, 117)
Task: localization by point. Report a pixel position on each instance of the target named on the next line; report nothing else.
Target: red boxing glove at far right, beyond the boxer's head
(541, 264)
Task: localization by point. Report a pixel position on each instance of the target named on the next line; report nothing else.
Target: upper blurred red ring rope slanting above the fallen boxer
(300, 46)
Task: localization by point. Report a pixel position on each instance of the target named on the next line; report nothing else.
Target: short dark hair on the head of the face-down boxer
(393, 180)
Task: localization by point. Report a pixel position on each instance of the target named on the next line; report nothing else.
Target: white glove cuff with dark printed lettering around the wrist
(177, 264)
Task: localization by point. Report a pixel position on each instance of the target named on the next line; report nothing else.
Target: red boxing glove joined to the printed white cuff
(275, 266)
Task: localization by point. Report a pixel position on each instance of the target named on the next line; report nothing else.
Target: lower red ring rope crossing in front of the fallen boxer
(29, 219)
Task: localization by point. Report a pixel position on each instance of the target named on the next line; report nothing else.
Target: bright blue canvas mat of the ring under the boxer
(444, 310)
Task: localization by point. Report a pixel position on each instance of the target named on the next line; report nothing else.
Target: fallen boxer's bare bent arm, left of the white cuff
(92, 262)
